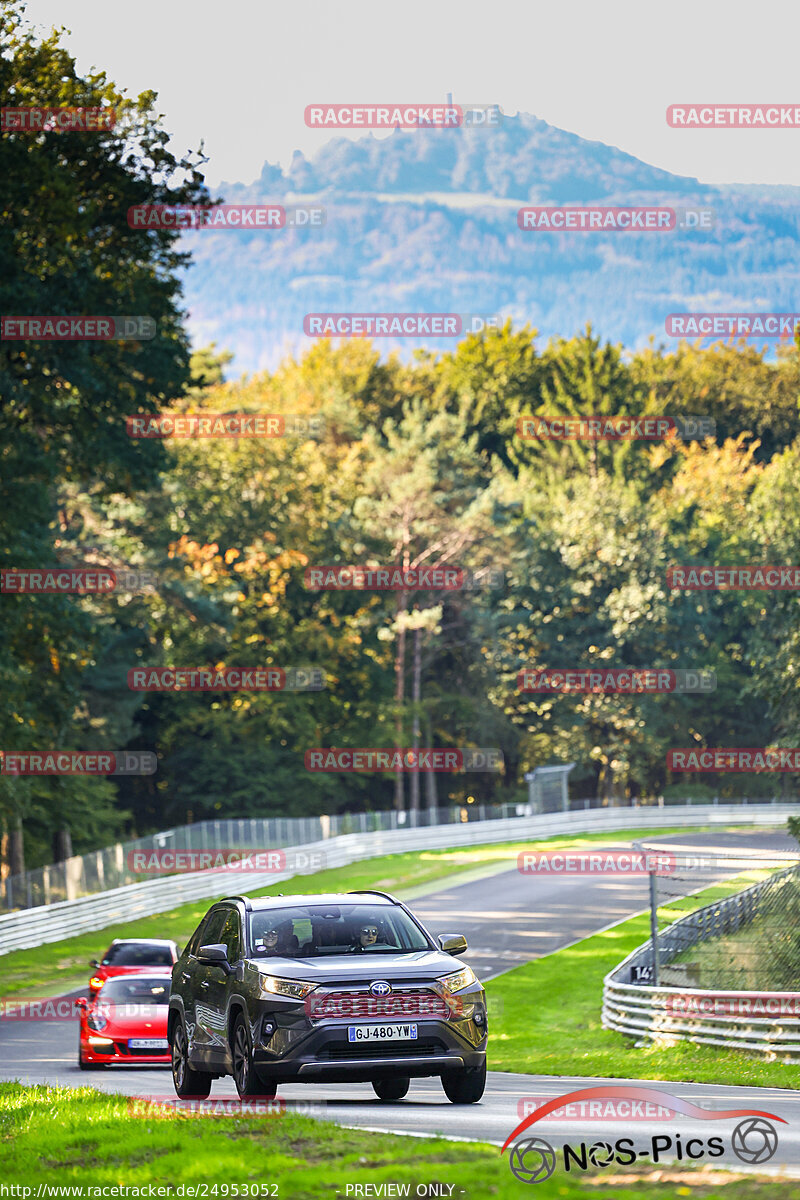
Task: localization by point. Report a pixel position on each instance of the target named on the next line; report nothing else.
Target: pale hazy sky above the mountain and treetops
(240, 74)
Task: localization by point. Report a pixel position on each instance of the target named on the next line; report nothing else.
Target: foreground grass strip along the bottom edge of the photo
(68, 1138)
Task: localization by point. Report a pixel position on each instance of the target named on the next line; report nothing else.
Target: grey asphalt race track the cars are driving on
(508, 919)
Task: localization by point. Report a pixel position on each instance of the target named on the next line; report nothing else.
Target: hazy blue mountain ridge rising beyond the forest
(425, 221)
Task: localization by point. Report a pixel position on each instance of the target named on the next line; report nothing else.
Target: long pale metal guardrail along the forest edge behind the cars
(68, 919)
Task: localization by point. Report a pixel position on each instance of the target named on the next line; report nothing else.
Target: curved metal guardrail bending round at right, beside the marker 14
(768, 1022)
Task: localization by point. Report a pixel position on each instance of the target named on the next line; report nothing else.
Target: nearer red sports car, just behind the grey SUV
(127, 1023)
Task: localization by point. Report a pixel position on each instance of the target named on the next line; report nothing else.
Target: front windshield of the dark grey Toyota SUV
(315, 932)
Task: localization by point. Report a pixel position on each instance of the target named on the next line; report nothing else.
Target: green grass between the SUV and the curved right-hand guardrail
(548, 1016)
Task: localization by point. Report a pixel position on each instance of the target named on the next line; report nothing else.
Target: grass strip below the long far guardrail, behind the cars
(63, 967)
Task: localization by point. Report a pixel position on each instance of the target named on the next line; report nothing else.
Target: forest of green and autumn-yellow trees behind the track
(419, 463)
